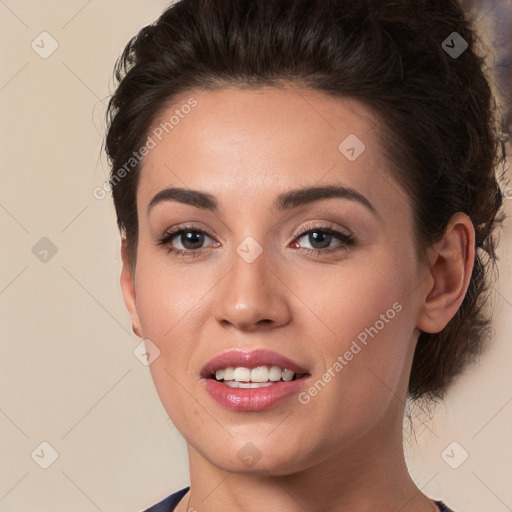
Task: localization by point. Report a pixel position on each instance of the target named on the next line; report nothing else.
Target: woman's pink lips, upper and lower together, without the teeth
(251, 399)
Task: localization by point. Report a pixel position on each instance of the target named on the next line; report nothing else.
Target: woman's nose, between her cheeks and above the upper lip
(253, 295)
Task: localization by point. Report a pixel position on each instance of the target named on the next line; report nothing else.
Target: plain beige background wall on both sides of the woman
(68, 373)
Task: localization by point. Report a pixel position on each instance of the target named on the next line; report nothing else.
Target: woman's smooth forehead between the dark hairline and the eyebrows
(233, 142)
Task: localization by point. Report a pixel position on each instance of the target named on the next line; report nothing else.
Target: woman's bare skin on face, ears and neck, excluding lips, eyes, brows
(342, 450)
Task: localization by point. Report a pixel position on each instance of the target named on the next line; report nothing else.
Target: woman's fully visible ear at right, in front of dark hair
(451, 264)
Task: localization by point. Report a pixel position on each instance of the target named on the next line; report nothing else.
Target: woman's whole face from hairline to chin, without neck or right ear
(325, 277)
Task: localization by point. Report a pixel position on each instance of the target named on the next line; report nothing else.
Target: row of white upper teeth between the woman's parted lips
(260, 376)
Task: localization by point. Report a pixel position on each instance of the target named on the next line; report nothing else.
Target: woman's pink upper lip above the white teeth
(252, 359)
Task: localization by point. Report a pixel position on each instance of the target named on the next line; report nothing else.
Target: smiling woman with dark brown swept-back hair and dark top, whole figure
(307, 199)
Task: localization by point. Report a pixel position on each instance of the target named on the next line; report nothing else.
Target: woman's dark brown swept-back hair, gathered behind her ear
(437, 111)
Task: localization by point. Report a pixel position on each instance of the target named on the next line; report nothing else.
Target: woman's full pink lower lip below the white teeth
(253, 399)
